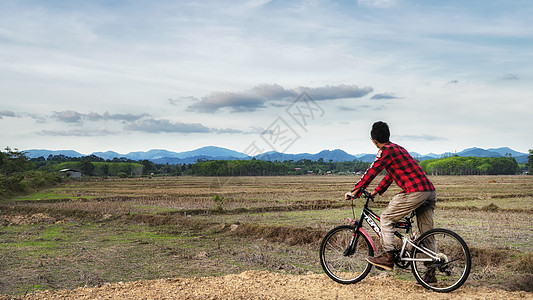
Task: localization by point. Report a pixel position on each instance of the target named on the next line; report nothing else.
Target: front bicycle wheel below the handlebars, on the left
(340, 266)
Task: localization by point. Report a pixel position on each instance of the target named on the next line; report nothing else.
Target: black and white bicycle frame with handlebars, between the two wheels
(369, 216)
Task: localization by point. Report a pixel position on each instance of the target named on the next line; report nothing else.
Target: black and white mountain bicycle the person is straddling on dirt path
(344, 249)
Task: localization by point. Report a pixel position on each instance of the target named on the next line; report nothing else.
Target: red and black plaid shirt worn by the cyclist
(401, 167)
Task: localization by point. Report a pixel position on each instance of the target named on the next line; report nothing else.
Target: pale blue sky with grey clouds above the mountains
(259, 75)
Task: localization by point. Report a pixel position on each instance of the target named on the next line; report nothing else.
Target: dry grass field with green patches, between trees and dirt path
(97, 231)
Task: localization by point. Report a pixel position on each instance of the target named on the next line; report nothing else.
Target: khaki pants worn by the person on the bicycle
(400, 206)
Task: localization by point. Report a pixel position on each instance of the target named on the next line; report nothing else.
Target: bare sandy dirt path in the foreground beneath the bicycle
(267, 285)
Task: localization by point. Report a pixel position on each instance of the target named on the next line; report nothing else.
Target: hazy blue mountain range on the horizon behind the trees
(217, 153)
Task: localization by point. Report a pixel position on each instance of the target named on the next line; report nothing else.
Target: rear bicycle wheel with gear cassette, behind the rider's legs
(452, 268)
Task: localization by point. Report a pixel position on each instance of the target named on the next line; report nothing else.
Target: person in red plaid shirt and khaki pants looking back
(416, 190)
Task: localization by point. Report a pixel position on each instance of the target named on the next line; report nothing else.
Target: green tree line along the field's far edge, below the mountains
(18, 173)
